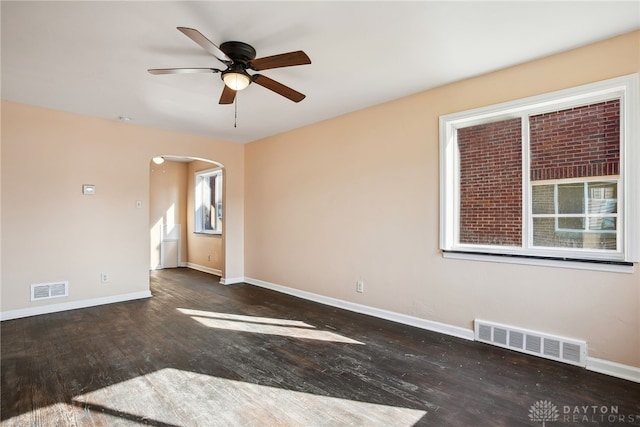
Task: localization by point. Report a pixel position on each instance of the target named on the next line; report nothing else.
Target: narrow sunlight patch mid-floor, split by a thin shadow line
(264, 325)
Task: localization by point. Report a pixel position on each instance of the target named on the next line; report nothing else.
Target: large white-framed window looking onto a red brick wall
(548, 177)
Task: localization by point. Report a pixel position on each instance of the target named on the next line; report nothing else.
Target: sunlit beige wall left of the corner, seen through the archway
(167, 206)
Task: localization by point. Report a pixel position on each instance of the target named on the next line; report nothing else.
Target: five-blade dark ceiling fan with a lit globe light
(240, 57)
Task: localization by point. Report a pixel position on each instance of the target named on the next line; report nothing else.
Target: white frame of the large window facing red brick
(625, 89)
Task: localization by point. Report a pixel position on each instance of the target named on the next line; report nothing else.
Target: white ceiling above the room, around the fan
(92, 57)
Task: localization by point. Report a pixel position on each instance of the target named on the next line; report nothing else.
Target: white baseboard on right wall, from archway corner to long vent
(371, 311)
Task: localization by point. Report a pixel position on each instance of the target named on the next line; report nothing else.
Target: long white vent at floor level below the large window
(553, 347)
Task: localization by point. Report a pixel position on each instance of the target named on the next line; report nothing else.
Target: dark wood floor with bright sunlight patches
(202, 354)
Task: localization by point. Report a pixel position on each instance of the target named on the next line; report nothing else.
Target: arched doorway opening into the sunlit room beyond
(177, 235)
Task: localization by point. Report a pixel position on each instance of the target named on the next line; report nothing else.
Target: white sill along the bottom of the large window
(613, 267)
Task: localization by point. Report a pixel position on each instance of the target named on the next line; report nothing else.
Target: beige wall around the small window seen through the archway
(205, 250)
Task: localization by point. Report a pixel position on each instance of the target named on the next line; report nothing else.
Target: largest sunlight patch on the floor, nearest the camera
(172, 397)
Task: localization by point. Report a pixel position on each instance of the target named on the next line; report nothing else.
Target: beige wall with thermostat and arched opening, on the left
(51, 232)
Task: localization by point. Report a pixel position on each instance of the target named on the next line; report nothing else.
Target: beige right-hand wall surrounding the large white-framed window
(357, 197)
